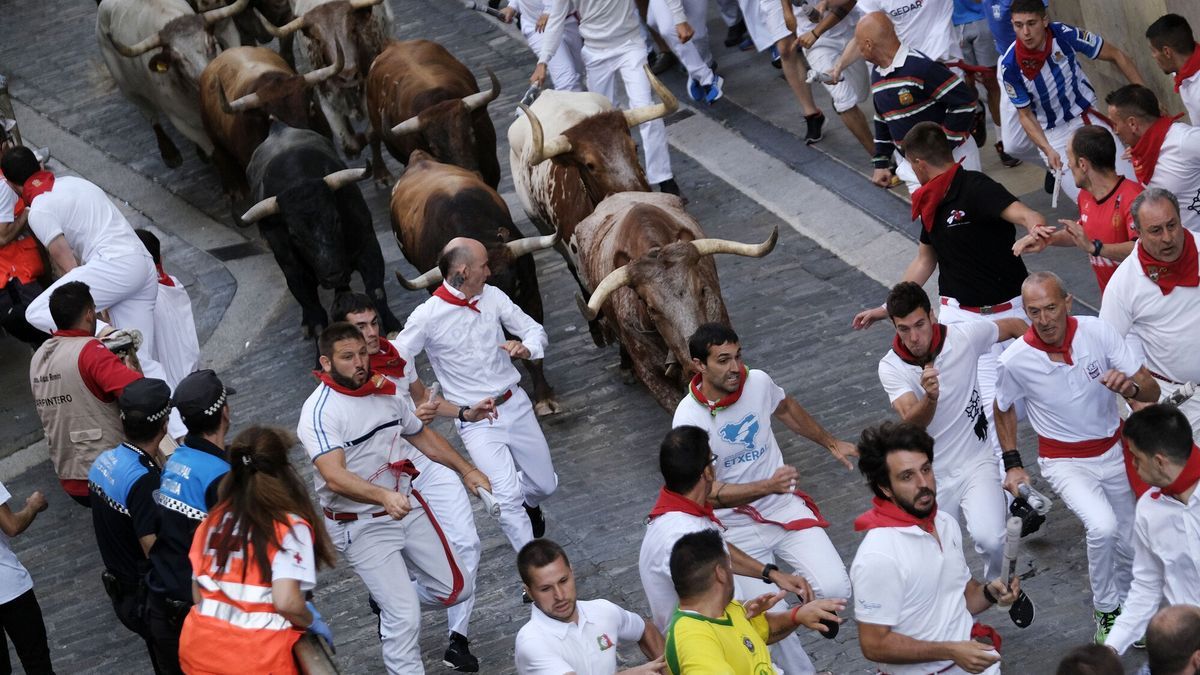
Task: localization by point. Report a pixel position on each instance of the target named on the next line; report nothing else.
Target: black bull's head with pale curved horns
(314, 220)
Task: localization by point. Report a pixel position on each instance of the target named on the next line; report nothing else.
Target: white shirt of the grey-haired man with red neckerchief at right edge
(1167, 326)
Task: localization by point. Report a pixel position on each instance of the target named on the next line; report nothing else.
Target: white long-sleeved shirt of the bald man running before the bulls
(465, 347)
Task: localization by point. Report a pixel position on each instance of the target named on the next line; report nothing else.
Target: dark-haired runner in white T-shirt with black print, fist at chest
(932, 379)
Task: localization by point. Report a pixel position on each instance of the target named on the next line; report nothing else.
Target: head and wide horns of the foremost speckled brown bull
(679, 288)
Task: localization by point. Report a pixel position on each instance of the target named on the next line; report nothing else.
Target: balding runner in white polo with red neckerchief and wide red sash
(1066, 371)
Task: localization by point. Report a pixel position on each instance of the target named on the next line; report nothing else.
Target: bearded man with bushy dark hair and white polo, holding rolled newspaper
(914, 595)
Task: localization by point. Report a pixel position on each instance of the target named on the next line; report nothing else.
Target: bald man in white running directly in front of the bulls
(463, 330)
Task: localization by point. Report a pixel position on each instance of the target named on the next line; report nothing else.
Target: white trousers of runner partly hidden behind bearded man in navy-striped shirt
(448, 500)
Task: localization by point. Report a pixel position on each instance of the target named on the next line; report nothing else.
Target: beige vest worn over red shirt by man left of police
(79, 426)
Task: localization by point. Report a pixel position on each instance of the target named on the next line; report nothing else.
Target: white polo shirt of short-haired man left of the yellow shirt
(548, 647)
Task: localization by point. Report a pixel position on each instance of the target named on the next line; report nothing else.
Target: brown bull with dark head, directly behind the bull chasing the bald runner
(421, 98)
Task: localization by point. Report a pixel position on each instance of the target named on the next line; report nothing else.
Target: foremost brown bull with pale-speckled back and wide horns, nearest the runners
(655, 283)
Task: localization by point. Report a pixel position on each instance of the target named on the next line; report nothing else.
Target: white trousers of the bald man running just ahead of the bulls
(513, 452)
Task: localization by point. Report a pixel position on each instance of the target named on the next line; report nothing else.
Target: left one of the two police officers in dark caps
(122, 486)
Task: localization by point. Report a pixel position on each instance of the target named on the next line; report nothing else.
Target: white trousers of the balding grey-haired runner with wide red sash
(1097, 491)
